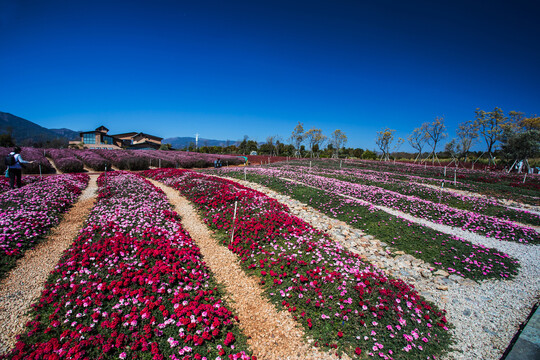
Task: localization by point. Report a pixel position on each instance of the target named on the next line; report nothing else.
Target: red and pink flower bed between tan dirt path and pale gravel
(342, 302)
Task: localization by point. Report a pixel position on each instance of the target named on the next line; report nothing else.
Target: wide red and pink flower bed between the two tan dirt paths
(132, 286)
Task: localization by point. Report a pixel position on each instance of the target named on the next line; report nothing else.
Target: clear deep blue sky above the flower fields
(225, 69)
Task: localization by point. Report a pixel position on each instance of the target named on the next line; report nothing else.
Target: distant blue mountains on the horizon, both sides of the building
(28, 133)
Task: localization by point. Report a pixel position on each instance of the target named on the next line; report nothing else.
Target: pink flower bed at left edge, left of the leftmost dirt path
(27, 214)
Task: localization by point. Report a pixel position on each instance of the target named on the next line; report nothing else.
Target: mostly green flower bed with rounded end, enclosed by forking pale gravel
(446, 252)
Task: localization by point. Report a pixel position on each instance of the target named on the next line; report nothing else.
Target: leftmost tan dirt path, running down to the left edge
(24, 284)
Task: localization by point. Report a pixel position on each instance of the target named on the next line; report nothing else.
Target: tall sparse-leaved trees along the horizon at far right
(513, 138)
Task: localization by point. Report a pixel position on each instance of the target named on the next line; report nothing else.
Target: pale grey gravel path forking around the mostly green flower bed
(486, 315)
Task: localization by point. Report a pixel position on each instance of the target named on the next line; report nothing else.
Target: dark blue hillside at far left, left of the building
(27, 133)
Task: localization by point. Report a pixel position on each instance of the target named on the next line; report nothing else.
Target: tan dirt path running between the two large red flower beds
(273, 334)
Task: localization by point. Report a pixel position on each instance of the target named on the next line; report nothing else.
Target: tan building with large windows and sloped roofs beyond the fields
(100, 139)
